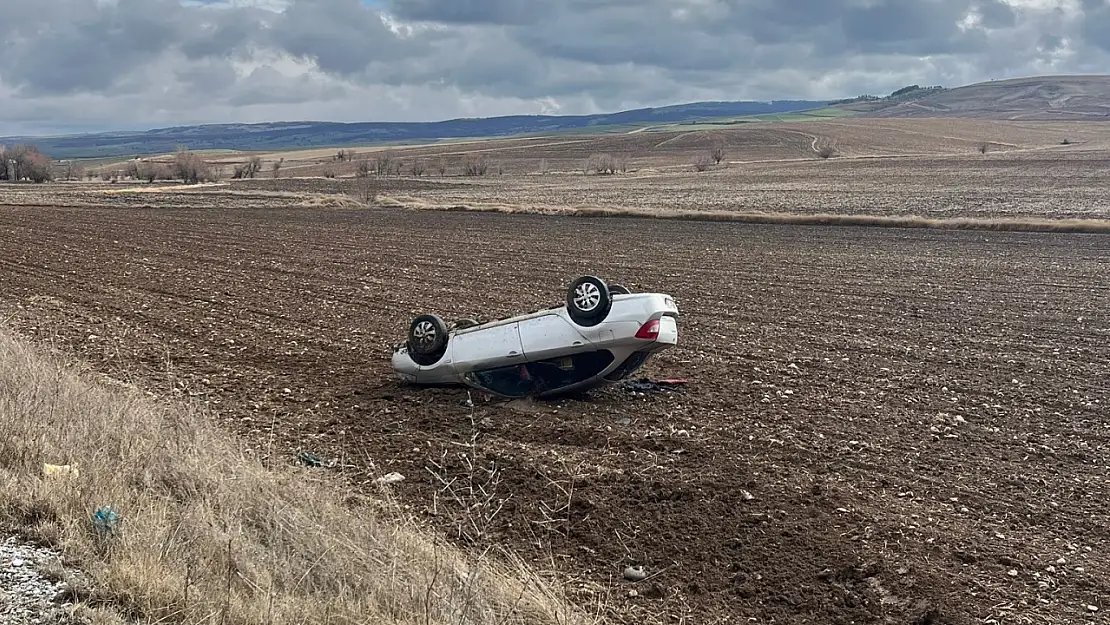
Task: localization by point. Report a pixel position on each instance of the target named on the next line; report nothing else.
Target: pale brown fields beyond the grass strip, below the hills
(927, 169)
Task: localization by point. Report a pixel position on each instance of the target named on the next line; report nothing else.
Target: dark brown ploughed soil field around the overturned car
(920, 418)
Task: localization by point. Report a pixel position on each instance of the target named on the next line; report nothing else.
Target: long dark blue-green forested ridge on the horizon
(280, 136)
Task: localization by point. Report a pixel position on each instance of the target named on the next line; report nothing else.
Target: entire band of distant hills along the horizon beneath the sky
(1071, 98)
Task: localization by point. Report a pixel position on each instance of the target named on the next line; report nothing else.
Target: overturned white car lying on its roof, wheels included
(600, 337)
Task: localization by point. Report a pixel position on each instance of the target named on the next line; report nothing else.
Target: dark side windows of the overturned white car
(542, 377)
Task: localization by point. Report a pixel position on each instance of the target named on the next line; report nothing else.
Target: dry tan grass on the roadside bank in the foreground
(210, 536)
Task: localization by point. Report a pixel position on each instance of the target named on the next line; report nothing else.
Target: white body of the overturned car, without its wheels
(546, 352)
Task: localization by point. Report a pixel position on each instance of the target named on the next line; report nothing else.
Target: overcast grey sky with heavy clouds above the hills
(120, 65)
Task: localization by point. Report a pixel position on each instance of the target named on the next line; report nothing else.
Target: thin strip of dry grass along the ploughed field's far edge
(1024, 225)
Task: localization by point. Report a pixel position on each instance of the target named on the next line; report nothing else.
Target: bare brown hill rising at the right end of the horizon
(1056, 98)
